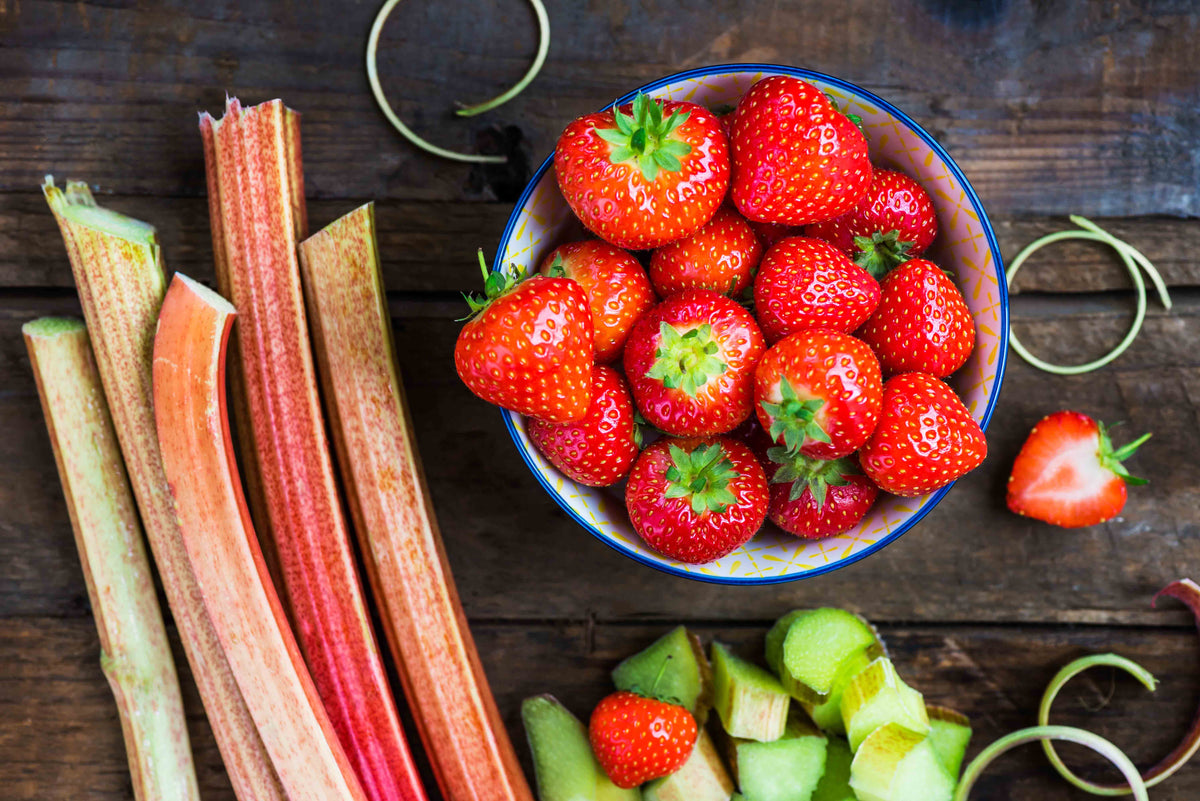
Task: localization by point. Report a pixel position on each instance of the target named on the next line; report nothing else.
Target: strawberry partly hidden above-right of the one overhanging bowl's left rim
(616, 285)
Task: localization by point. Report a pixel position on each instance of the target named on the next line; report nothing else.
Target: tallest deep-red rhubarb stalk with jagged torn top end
(255, 176)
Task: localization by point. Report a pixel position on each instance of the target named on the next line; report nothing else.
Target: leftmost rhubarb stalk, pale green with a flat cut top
(135, 654)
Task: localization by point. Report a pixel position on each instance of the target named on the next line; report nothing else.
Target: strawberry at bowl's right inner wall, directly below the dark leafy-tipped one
(922, 323)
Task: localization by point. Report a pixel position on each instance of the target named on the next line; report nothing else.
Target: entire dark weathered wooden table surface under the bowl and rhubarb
(1051, 109)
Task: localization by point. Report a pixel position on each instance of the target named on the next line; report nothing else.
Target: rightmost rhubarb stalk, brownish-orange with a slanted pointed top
(406, 561)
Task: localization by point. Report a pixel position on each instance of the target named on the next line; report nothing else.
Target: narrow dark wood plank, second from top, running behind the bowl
(430, 246)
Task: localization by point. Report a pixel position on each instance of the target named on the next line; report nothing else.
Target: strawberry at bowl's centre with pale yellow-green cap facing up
(691, 364)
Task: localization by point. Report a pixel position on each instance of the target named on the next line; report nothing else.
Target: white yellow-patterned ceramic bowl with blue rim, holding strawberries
(967, 244)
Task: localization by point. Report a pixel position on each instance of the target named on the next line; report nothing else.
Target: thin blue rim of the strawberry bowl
(933, 501)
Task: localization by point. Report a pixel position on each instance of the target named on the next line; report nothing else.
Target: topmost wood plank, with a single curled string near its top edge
(1078, 107)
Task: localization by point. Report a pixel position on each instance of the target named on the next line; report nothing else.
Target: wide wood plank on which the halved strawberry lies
(517, 556)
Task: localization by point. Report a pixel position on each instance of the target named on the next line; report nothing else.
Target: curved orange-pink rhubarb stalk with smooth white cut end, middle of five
(199, 460)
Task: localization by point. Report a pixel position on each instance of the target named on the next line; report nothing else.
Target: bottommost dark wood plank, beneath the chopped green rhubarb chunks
(63, 738)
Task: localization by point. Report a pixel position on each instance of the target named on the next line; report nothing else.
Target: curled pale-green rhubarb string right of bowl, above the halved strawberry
(1135, 263)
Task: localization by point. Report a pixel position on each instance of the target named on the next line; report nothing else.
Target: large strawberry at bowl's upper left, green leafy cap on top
(646, 174)
